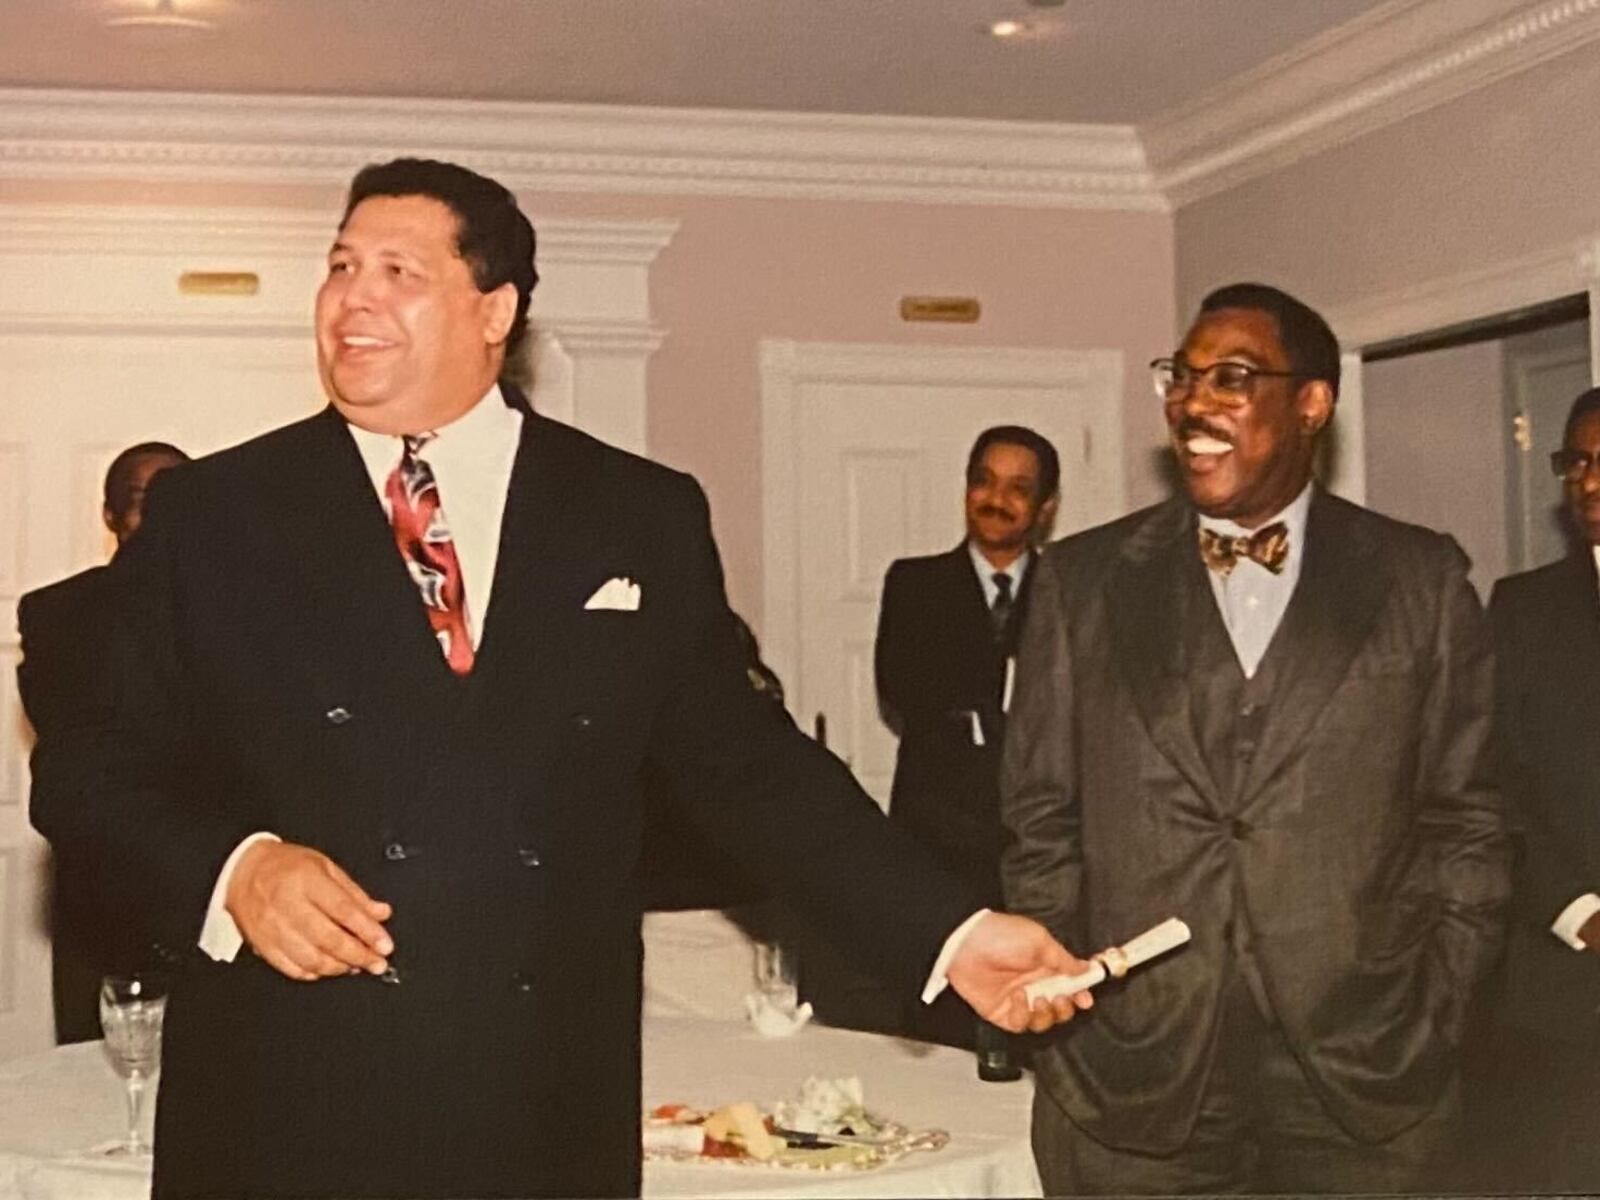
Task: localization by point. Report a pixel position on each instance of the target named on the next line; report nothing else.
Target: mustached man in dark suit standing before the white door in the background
(946, 631)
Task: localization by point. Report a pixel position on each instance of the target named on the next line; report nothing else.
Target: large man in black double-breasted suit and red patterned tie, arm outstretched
(394, 674)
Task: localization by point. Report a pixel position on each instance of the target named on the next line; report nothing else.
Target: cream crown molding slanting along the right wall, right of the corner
(1396, 62)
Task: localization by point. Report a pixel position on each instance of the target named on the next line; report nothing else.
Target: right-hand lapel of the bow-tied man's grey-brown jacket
(1330, 617)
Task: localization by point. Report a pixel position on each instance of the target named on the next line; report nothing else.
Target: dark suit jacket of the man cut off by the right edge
(1548, 671)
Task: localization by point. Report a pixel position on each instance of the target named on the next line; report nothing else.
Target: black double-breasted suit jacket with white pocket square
(286, 679)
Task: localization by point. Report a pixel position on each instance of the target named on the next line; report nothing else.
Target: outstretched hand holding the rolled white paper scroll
(1004, 954)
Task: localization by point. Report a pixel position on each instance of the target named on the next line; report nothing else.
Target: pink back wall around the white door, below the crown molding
(740, 271)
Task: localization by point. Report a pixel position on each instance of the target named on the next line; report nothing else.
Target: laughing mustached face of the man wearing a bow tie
(1246, 463)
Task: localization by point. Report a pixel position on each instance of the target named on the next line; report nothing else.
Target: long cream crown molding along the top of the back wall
(574, 148)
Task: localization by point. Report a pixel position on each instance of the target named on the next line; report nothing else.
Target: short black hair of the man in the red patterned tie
(494, 236)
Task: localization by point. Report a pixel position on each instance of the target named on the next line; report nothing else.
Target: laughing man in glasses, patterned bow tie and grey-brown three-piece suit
(1266, 711)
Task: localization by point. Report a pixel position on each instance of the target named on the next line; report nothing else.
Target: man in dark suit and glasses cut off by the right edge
(1548, 657)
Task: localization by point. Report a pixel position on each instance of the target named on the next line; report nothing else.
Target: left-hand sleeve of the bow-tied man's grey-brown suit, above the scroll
(1042, 865)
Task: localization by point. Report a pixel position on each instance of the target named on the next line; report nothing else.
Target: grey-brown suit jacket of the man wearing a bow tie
(1362, 852)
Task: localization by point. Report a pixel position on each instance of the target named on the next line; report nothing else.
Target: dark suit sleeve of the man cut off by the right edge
(1551, 876)
